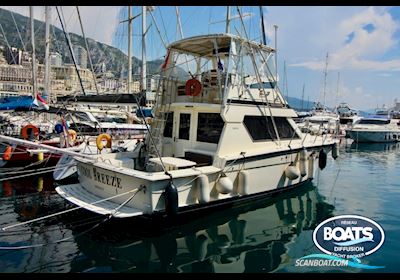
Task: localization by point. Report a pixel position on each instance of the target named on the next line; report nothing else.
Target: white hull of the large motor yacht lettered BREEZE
(143, 193)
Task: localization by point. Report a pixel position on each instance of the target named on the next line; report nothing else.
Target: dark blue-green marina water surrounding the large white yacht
(268, 235)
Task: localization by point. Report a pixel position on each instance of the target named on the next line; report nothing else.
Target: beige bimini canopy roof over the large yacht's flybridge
(203, 45)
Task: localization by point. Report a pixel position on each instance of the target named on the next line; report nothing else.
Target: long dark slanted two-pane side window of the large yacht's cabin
(261, 128)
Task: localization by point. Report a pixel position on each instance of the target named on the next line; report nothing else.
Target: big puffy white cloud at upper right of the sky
(369, 34)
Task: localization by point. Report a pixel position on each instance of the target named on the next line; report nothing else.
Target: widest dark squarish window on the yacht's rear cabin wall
(209, 127)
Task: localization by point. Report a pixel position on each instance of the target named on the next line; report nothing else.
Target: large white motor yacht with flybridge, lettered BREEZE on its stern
(220, 136)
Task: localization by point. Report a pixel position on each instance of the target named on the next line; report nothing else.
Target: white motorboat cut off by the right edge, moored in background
(374, 130)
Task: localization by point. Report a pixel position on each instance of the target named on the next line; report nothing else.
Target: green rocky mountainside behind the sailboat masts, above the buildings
(114, 58)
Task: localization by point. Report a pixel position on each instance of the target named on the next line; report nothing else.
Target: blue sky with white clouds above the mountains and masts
(362, 43)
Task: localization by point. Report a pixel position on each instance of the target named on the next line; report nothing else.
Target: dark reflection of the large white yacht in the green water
(246, 239)
